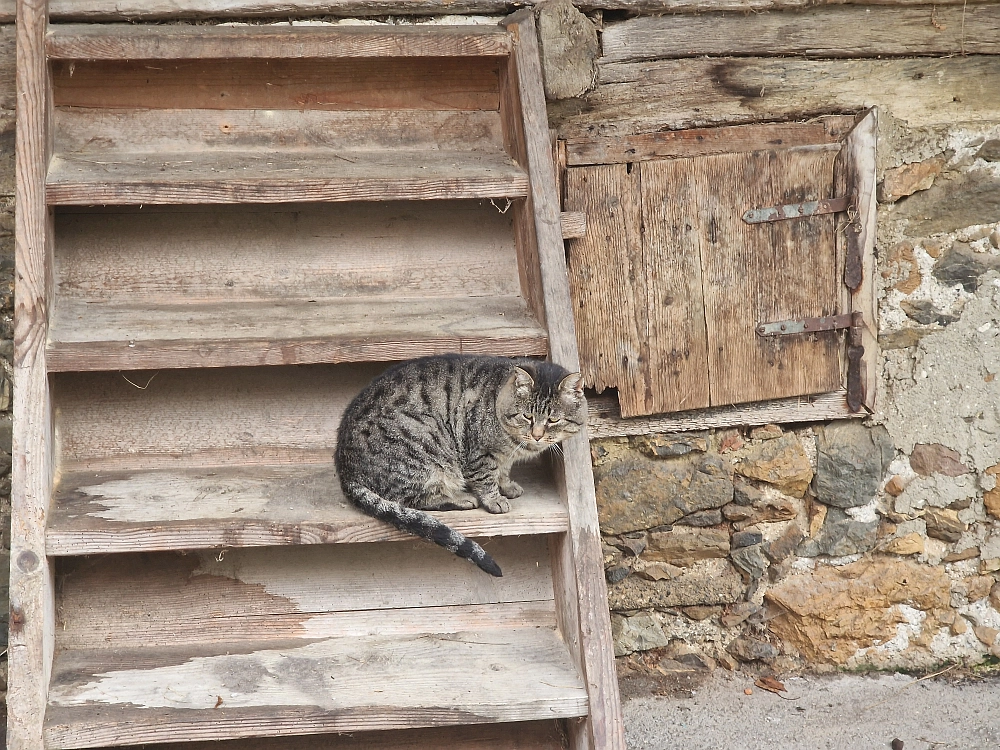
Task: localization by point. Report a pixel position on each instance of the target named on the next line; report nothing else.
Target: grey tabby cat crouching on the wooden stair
(424, 432)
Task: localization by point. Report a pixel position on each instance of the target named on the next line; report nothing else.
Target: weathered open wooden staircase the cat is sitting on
(223, 233)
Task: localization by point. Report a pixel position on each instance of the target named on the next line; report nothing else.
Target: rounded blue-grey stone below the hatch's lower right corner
(850, 463)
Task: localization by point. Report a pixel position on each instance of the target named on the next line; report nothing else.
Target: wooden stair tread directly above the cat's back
(101, 335)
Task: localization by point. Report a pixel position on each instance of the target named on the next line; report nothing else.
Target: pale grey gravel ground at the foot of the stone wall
(820, 713)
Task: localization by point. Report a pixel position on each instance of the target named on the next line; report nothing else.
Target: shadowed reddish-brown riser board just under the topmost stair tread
(331, 84)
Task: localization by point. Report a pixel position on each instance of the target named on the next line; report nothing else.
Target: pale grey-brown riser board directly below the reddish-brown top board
(94, 131)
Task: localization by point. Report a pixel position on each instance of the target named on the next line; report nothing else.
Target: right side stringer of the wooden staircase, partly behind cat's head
(581, 547)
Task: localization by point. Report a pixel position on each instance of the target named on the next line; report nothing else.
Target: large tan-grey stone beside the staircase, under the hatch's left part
(636, 492)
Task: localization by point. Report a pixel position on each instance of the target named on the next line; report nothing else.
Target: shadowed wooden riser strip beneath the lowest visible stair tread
(535, 735)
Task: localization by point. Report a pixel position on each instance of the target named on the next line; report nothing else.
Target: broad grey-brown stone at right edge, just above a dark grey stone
(954, 202)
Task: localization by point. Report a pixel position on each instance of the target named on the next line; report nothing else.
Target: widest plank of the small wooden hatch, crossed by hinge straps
(760, 273)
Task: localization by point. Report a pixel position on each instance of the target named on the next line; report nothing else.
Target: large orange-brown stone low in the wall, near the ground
(853, 606)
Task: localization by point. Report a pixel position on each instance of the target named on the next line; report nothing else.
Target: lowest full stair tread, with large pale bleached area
(125, 697)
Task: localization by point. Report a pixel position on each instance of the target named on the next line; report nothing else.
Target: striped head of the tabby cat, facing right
(541, 404)
